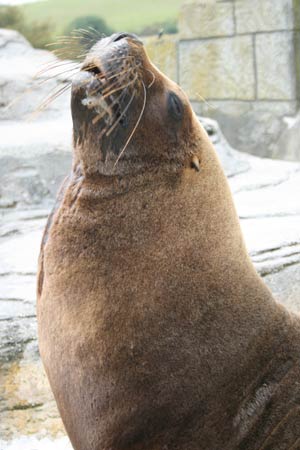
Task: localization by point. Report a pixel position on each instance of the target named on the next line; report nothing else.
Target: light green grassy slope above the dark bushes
(129, 15)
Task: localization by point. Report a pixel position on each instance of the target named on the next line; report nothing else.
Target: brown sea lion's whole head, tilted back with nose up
(127, 116)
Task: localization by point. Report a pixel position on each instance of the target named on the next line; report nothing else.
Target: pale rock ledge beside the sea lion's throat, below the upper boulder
(34, 162)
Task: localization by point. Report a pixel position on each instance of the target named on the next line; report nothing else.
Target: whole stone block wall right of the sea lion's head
(243, 58)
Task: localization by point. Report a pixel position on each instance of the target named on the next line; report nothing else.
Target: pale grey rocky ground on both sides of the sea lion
(34, 157)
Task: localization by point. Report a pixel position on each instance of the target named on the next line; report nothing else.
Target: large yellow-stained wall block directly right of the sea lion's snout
(217, 69)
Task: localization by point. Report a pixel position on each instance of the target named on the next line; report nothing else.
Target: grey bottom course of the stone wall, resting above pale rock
(259, 128)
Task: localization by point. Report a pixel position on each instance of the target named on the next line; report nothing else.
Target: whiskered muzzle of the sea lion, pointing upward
(105, 91)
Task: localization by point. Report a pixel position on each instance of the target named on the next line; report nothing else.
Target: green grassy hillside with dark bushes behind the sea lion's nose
(42, 22)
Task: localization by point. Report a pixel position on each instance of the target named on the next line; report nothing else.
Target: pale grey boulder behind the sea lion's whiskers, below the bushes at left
(24, 80)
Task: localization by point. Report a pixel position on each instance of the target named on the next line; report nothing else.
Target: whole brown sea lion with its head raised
(155, 330)
